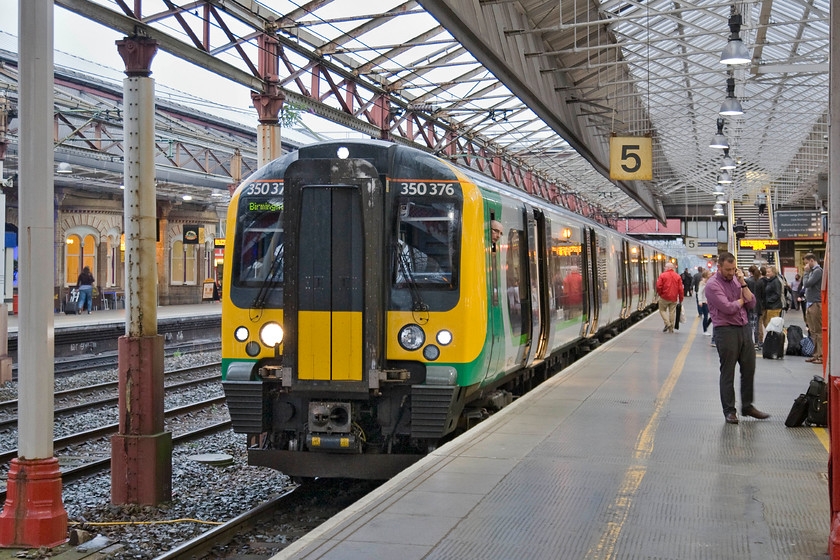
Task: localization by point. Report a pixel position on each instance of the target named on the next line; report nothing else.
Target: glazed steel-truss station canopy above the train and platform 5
(542, 84)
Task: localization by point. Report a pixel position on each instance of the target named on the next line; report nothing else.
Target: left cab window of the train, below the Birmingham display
(258, 249)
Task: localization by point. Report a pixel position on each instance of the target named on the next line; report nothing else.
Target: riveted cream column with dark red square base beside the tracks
(141, 452)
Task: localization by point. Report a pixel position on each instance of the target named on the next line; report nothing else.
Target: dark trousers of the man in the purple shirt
(735, 346)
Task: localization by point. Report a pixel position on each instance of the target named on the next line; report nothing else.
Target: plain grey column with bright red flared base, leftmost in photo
(34, 515)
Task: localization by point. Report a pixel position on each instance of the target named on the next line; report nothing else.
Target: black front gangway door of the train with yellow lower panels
(333, 310)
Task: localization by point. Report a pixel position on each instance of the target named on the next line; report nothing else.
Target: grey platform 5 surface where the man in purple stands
(625, 454)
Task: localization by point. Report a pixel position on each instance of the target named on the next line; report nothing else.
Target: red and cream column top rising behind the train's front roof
(269, 103)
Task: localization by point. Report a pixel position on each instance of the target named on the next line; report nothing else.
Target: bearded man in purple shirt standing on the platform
(729, 298)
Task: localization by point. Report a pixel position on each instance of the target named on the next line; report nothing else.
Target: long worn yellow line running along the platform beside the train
(619, 510)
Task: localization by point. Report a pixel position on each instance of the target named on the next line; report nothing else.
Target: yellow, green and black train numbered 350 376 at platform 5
(378, 300)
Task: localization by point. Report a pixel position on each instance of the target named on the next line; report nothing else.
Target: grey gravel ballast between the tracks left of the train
(199, 491)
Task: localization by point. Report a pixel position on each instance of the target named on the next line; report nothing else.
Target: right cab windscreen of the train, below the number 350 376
(427, 245)
